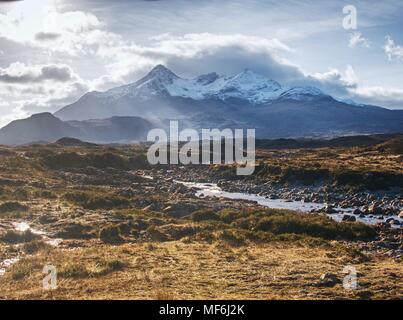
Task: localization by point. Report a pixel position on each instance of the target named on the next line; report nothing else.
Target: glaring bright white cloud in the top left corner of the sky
(43, 27)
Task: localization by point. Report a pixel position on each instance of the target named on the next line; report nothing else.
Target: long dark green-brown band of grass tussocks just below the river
(238, 227)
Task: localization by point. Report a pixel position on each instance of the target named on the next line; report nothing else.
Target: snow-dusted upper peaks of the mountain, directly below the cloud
(246, 85)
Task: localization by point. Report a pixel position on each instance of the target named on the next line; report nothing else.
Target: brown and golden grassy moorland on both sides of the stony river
(125, 235)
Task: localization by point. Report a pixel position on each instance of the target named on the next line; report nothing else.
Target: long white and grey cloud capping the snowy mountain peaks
(196, 53)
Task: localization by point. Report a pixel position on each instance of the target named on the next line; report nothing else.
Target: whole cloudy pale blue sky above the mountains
(54, 51)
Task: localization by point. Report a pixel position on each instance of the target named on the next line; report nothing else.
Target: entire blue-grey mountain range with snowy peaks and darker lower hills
(245, 100)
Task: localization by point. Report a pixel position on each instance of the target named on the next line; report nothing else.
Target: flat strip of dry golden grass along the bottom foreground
(174, 270)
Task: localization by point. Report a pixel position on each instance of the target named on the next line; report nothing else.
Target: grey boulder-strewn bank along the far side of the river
(373, 204)
